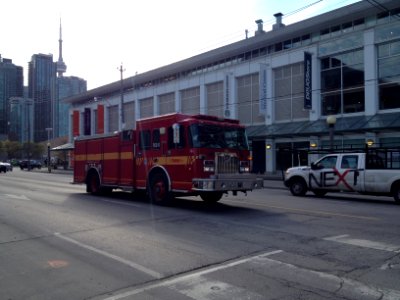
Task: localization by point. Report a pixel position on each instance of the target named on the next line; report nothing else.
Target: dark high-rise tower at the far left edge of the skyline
(11, 85)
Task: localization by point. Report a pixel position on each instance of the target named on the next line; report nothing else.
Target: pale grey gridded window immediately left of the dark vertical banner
(289, 92)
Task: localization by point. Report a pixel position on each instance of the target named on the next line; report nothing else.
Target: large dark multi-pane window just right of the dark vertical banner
(342, 83)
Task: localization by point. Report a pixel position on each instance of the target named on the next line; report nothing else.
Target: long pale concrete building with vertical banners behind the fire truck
(283, 84)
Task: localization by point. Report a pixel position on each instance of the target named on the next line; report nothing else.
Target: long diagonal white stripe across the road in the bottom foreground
(186, 277)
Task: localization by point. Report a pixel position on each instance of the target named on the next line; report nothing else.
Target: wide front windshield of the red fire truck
(212, 136)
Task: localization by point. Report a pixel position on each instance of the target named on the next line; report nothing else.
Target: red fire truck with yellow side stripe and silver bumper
(167, 156)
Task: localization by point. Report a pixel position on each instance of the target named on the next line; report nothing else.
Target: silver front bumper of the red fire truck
(225, 183)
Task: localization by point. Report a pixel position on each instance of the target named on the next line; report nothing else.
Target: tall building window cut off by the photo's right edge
(389, 75)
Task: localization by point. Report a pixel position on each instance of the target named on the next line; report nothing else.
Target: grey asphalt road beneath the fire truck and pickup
(57, 242)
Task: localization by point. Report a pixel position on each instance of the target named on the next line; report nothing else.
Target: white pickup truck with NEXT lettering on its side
(376, 173)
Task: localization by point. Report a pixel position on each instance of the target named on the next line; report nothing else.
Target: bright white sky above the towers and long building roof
(98, 36)
